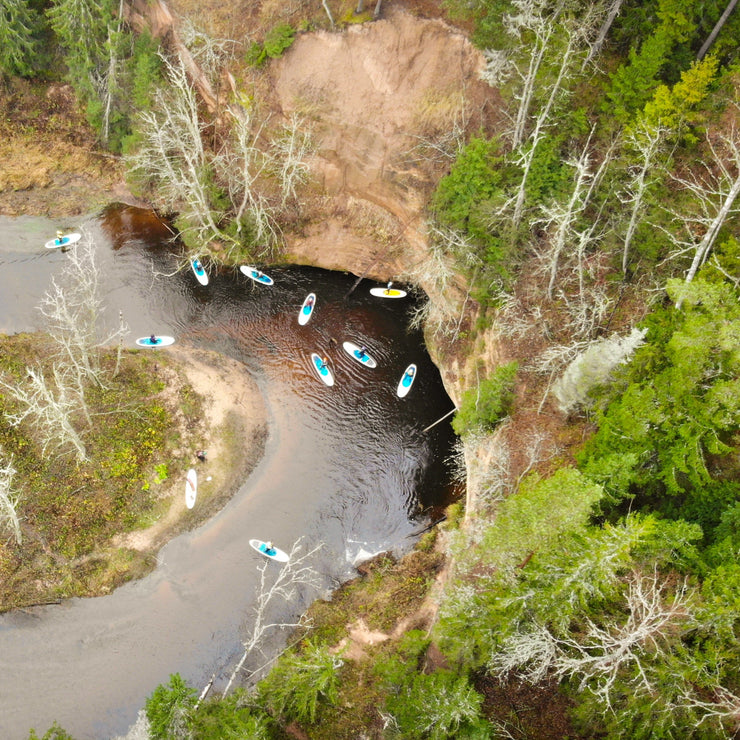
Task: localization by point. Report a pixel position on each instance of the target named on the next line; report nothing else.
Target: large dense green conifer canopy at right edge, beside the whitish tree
(678, 408)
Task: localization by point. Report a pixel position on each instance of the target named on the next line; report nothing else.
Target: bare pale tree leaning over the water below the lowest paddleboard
(295, 573)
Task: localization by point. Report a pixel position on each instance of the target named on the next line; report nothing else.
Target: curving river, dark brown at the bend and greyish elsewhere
(348, 466)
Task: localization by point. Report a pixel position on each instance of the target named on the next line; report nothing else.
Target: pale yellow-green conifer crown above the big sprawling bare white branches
(544, 519)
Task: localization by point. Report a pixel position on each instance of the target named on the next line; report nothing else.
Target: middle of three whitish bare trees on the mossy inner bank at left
(50, 408)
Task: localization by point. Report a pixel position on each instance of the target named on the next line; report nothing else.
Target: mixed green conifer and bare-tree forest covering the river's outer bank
(595, 560)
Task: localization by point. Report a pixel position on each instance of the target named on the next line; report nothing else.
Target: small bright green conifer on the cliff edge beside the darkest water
(485, 406)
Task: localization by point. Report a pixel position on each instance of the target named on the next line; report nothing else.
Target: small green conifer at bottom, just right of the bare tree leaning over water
(300, 683)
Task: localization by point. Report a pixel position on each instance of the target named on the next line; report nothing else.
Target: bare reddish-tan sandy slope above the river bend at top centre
(379, 94)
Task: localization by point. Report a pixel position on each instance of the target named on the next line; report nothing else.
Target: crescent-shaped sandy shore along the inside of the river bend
(234, 432)
